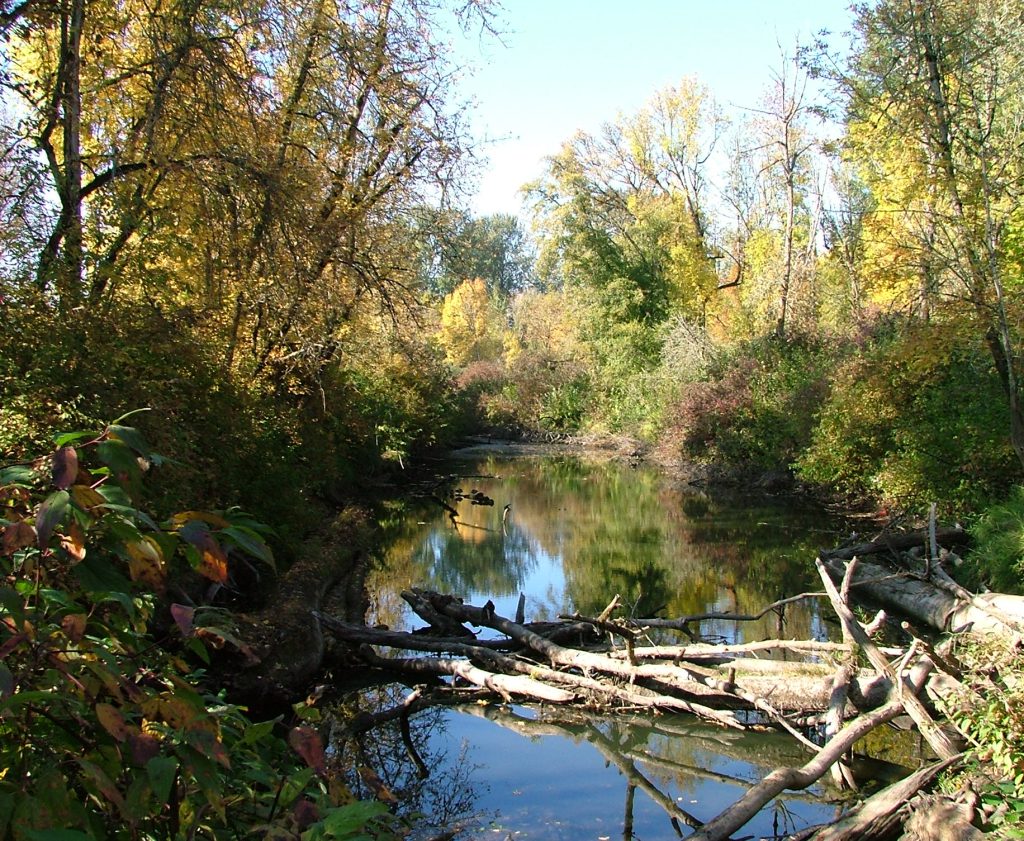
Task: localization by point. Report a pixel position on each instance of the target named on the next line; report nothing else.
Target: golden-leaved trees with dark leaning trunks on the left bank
(242, 166)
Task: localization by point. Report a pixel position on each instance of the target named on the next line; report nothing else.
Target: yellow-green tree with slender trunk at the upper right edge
(935, 88)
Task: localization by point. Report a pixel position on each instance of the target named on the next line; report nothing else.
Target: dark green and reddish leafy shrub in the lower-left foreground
(106, 731)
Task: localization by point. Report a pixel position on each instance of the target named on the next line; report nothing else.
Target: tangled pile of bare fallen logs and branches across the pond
(606, 663)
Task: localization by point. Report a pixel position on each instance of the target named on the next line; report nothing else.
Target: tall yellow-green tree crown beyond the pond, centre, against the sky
(626, 209)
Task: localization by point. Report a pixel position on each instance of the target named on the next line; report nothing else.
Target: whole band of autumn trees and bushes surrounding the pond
(246, 218)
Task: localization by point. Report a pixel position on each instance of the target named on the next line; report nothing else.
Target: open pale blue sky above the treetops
(574, 65)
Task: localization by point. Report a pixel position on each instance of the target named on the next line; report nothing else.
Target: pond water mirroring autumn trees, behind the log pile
(579, 533)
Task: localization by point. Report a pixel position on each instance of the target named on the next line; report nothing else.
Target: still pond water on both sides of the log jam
(571, 534)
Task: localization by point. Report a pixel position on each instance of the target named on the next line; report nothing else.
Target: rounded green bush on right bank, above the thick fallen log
(917, 417)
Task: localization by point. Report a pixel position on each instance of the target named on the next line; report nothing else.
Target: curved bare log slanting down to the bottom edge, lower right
(720, 828)
